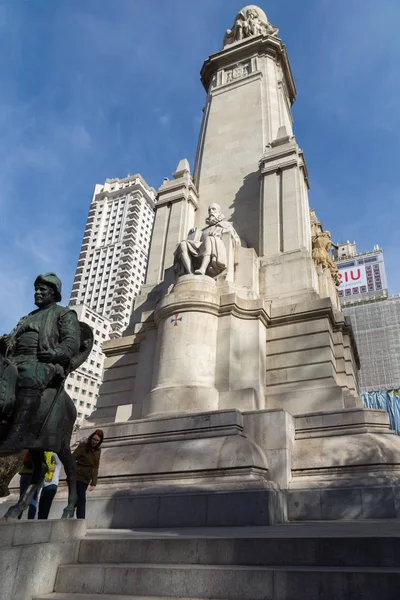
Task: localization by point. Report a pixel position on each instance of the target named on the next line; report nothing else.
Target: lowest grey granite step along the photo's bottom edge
(233, 582)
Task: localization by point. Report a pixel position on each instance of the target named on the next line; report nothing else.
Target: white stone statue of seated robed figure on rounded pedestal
(204, 252)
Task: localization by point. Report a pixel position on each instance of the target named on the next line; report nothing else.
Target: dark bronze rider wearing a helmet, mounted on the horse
(37, 354)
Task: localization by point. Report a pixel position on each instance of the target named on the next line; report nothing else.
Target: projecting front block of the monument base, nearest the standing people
(198, 469)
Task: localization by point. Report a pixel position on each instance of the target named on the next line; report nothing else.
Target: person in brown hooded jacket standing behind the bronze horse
(87, 458)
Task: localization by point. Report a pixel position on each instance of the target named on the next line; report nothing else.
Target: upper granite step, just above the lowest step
(267, 551)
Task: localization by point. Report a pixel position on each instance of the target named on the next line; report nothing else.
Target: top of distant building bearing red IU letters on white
(363, 275)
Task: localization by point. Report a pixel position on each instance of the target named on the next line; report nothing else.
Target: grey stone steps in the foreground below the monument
(315, 561)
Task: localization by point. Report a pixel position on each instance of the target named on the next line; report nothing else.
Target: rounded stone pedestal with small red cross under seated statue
(185, 358)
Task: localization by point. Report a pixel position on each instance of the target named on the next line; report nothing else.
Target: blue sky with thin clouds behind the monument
(102, 88)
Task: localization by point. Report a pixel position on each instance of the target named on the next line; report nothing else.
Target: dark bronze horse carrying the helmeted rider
(51, 429)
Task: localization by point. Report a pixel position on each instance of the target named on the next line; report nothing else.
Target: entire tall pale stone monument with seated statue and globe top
(238, 372)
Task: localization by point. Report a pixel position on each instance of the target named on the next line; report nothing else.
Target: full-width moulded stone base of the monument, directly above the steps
(233, 468)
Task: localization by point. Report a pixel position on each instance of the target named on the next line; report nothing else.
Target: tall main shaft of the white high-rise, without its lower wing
(112, 263)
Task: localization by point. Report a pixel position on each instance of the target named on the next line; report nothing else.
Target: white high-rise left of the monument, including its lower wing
(111, 269)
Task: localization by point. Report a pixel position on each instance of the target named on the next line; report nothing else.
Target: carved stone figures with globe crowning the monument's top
(250, 21)
